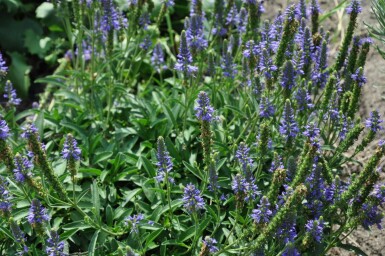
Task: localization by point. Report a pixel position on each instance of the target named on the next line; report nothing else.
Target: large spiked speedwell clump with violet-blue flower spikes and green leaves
(229, 139)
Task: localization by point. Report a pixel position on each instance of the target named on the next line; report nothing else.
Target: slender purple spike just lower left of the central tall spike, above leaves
(164, 163)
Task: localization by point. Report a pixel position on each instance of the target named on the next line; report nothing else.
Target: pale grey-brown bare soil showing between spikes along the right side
(371, 242)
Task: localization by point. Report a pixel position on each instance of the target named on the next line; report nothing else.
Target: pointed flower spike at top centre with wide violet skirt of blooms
(184, 58)
